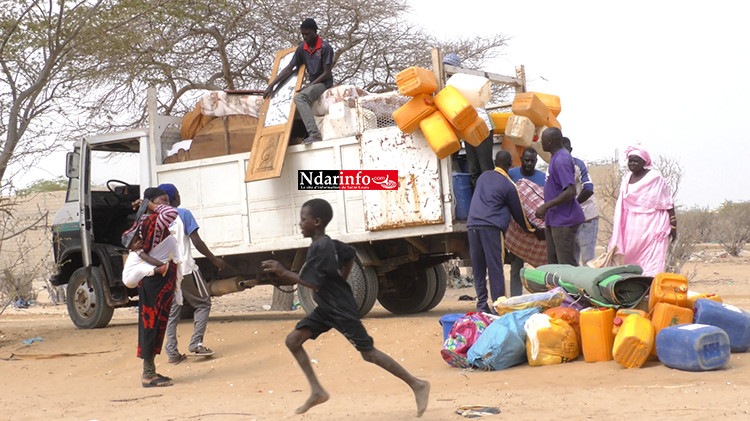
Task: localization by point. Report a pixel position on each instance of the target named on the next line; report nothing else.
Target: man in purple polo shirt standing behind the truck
(561, 212)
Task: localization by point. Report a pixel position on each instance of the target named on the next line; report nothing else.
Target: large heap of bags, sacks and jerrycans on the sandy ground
(682, 329)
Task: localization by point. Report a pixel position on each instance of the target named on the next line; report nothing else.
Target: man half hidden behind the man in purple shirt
(585, 245)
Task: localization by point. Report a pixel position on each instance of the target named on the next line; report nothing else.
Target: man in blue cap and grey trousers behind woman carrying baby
(193, 290)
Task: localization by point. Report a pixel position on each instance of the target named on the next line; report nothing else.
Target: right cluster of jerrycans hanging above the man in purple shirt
(532, 112)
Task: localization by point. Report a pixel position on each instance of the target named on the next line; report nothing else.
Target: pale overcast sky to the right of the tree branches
(674, 75)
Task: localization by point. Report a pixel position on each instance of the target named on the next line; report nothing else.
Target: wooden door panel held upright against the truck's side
(274, 123)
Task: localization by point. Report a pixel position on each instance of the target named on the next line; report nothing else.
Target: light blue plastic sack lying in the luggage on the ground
(503, 343)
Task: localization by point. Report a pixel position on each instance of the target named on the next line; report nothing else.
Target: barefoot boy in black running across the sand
(325, 271)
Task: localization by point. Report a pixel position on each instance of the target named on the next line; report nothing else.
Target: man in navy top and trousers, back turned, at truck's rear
(494, 202)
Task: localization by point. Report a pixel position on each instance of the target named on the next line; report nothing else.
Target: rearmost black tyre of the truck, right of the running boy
(412, 289)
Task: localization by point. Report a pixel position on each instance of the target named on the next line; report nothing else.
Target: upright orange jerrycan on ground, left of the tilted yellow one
(596, 334)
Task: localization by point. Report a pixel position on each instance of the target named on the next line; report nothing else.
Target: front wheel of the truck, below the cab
(87, 306)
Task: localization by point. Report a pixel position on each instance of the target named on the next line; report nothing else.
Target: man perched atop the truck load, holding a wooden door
(317, 56)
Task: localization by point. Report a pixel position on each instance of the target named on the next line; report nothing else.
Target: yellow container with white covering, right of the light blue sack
(549, 341)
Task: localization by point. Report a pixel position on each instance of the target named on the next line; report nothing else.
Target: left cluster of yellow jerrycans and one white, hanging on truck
(446, 117)
